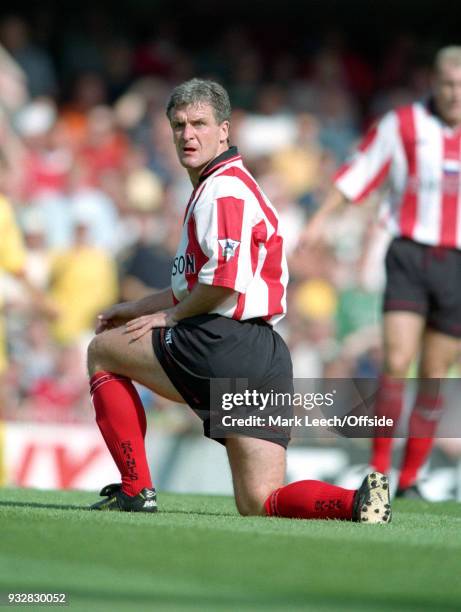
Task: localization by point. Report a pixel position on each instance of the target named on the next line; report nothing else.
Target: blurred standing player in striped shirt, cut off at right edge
(417, 149)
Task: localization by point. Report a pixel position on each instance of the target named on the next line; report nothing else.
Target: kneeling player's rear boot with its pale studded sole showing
(372, 503)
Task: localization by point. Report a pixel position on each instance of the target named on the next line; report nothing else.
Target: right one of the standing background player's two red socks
(422, 427)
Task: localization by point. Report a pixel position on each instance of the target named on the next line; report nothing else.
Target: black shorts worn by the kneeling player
(210, 346)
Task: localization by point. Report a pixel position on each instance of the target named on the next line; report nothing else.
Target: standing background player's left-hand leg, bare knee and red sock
(402, 332)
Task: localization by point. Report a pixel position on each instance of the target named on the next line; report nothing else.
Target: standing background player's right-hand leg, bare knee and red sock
(439, 352)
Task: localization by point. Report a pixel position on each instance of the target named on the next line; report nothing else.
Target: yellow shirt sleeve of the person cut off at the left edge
(12, 251)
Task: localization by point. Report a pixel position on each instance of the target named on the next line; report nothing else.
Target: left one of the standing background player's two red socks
(389, 403)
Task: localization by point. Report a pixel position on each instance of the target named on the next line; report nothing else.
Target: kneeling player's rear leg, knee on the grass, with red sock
(258, 472)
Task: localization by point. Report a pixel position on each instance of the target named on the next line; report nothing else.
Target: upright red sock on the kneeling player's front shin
(121, 418)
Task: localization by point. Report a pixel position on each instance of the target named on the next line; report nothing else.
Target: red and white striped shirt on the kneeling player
(231, 238)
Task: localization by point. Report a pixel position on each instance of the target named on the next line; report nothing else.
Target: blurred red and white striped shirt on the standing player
(421, 158)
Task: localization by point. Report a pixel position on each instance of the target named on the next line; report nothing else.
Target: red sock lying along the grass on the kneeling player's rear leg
(311, 499)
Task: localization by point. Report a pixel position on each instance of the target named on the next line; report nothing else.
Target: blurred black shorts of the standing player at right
(425, 280)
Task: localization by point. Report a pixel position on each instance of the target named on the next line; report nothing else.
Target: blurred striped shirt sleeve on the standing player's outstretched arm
(369, 165)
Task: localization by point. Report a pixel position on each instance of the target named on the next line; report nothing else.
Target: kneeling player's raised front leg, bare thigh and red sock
(112, 362)
